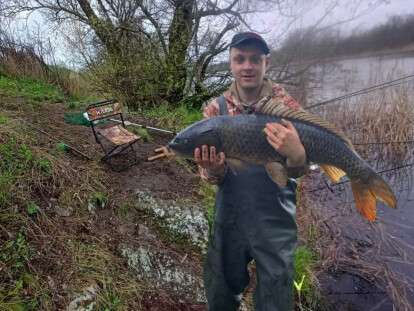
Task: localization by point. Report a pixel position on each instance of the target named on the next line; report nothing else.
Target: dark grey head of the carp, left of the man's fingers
(196, 135)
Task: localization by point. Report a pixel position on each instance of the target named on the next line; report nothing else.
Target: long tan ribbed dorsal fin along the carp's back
(270, 107)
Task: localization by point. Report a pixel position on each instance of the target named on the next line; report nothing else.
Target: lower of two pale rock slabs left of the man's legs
(164, 271)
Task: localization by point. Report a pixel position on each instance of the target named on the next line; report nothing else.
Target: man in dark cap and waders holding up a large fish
(255, 219)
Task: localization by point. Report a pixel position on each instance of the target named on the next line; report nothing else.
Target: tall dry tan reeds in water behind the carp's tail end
(379, 124)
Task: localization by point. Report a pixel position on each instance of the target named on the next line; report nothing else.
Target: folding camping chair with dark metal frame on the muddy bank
(109, 109)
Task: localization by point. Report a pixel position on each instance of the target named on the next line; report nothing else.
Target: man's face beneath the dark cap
(248, 66)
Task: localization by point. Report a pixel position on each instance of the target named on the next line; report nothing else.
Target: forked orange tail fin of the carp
(367, 193)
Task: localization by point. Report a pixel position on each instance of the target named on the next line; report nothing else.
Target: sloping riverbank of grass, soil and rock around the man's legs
(132, 240)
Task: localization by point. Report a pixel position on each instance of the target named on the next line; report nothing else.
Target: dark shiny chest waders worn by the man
(255, 219)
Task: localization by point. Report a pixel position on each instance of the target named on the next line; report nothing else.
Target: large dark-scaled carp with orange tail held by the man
(243, 141)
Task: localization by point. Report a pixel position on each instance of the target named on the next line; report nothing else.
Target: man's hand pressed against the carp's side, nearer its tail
(285, 139)
